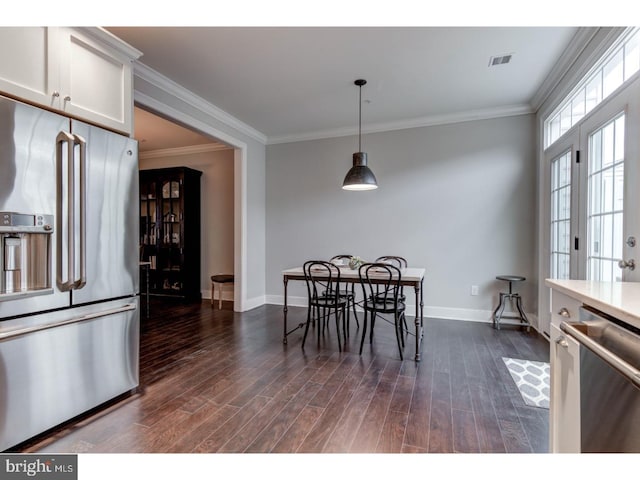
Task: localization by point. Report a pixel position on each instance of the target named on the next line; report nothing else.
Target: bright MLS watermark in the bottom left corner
(58, 467)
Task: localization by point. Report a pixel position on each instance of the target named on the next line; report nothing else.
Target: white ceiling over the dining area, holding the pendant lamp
(292, 83)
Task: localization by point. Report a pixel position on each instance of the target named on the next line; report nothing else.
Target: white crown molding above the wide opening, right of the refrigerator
(151, 76)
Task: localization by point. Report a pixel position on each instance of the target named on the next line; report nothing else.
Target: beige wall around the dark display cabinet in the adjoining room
(216, 210)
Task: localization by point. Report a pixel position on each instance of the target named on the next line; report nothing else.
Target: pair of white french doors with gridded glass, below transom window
(594, 219)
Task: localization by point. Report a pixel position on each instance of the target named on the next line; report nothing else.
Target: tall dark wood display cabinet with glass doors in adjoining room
(170, 231)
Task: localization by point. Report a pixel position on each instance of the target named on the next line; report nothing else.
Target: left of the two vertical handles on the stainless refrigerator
(65, 282)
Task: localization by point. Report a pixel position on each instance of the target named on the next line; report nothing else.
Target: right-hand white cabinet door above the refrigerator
(95, 81)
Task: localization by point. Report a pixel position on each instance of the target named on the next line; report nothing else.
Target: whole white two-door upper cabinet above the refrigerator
(86, 73)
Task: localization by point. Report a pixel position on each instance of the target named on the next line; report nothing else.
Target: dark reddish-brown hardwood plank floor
(218, 381)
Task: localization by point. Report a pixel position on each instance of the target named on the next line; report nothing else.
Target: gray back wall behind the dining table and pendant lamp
(459, 200)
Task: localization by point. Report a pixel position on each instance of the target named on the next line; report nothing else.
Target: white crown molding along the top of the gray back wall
(471, 115)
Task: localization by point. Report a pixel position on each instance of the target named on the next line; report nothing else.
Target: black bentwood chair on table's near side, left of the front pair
(323, 287)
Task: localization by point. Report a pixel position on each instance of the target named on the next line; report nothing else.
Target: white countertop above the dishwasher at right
(619, 299)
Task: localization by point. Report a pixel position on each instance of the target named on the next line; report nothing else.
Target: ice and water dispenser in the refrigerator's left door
(25, 254)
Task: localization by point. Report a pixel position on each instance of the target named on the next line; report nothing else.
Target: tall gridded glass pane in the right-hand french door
(605, 201)
